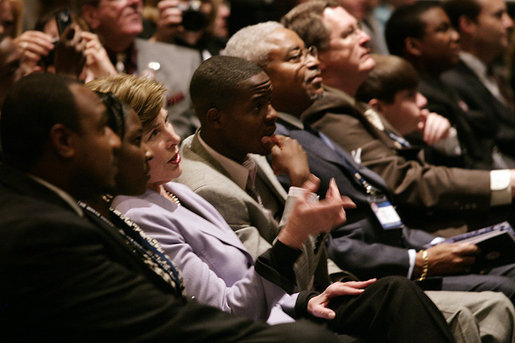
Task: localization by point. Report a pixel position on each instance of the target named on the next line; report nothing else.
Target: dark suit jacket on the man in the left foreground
(66, 279)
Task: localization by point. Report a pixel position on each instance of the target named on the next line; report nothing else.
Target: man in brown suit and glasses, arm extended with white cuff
(427, 196)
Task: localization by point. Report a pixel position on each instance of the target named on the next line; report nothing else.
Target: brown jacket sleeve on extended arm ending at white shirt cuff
(412, 182)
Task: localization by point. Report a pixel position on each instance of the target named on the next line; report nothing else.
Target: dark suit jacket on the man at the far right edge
(485, 106)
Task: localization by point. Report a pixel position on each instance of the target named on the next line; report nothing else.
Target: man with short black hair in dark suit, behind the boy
(422, 34)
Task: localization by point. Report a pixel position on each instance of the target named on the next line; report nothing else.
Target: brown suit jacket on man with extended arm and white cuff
(427, 196)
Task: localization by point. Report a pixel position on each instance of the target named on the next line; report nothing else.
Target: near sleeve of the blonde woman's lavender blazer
(251, 296)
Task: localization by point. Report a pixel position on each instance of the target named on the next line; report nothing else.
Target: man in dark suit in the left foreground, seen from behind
(68, 276)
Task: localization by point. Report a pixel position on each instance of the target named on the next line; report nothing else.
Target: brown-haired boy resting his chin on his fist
(391, 90)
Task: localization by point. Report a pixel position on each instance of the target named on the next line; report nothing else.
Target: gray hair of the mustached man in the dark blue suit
(250, 42)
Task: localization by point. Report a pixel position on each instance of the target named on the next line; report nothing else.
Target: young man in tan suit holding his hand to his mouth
(224, 163)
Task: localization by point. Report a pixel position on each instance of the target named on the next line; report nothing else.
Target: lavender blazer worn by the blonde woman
(216, 267)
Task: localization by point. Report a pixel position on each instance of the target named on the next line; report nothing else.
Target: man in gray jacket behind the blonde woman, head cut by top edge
(118, 23)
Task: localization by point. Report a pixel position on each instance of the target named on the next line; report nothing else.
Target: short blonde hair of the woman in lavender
(145, 96)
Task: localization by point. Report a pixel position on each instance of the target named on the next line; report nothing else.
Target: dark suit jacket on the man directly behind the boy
(477, 143)
